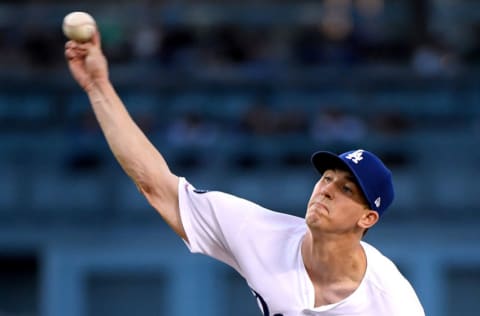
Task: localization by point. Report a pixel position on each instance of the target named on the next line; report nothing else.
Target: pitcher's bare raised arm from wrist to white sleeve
(136, 154)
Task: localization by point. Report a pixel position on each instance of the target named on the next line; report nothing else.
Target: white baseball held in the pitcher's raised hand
(79, 26)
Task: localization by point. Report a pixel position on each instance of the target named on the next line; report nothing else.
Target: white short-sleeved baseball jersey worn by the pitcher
(264, 247)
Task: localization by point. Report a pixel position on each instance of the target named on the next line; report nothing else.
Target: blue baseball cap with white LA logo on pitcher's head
(373, 177)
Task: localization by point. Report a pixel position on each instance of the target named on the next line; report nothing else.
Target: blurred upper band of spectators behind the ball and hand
(347, 33)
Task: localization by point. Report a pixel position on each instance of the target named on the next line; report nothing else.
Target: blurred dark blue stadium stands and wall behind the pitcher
(237, 95)
